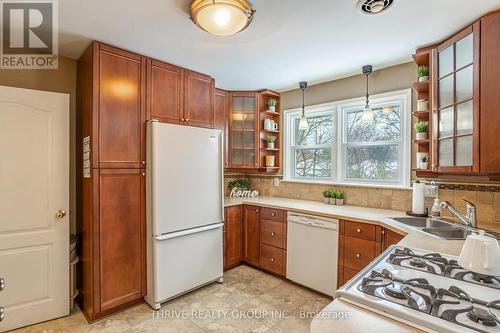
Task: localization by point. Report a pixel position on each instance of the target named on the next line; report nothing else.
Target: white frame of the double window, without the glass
(339, 147)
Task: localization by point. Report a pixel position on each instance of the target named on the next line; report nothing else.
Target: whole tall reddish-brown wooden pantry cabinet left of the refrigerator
(112, 102)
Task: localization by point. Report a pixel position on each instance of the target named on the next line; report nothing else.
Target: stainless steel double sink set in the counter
(441, 228)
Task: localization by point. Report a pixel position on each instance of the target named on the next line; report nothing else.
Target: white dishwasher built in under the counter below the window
(312, 252)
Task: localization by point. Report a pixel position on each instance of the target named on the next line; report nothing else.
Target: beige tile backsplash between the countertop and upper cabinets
(487, 199)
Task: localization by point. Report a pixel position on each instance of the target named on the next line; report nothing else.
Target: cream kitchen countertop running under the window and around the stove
(360, 319)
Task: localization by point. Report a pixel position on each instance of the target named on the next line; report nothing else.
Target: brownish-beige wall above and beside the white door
(61, 80)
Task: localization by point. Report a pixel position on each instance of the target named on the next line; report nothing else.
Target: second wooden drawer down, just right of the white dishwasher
(358, 253)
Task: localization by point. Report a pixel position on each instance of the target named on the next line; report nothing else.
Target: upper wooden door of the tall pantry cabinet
(119, 93)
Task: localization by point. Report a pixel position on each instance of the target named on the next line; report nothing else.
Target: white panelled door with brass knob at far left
(34, 176)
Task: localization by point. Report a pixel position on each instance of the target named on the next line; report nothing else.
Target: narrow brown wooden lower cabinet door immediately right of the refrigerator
(234, 236)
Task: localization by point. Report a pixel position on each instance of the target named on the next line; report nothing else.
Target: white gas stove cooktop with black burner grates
(427, 290)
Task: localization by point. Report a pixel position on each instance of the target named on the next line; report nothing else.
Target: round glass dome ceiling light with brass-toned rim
(221, 17)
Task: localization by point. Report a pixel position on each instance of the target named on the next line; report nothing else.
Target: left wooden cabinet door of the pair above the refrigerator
(165, 92)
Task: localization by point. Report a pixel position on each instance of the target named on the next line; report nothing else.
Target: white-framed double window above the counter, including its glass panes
(339, 147)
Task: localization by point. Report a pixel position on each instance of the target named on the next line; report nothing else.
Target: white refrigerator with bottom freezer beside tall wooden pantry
(184, 197)
